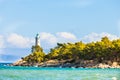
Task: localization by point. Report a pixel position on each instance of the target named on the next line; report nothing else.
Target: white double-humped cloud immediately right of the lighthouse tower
(49, 40)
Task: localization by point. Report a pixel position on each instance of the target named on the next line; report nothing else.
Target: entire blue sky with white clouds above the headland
(56, 21)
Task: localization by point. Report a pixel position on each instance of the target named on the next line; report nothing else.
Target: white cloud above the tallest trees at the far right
(93, 37)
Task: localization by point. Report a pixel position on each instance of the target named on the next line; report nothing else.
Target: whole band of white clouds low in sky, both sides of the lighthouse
(49, 40)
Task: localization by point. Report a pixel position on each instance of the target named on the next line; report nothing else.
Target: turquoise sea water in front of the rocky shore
(38, 73)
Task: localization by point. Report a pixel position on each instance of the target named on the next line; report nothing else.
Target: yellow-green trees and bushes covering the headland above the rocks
(100, 50)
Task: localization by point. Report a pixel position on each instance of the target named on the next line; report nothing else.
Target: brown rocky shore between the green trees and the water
(71, 63)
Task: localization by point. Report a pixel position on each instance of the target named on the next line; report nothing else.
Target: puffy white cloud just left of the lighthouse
(19, 41)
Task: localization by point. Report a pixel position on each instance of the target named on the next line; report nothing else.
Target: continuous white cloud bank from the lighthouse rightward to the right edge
(49, 40)
